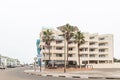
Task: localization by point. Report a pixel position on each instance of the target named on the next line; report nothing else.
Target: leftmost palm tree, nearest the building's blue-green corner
(48, 38)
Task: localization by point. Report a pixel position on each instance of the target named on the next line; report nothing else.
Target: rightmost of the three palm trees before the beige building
(79, 39)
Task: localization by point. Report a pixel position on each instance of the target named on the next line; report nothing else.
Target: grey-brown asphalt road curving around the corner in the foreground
(18, 74)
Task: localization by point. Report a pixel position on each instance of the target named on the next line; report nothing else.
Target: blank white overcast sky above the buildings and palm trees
(21, 22)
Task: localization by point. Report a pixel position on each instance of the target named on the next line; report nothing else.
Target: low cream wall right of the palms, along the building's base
(114, 65)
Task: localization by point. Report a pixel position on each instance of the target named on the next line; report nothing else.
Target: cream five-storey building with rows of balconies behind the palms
(97, 49)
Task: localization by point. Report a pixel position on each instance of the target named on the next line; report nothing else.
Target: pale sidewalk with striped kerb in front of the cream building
(84, 74)
